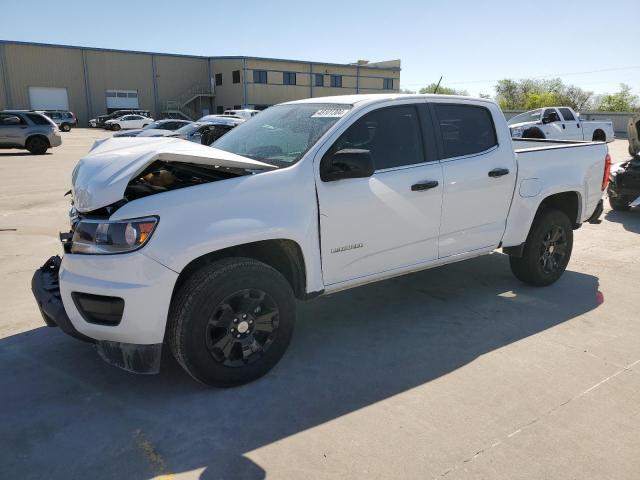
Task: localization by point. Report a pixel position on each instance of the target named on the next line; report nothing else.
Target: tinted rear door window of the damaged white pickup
(465, 129)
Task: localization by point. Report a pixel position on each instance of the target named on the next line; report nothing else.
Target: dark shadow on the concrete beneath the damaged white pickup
(68, 413)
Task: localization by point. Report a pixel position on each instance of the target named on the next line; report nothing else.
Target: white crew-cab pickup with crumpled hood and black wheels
(206, 249)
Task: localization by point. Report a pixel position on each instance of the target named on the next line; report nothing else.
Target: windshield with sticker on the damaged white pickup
(281, 135)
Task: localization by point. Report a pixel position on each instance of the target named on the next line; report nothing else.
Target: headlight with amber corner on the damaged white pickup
(107, 237)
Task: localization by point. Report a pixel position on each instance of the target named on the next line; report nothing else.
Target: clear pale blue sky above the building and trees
(589, 43)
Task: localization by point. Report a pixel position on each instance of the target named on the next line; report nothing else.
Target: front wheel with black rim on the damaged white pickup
(218, 330)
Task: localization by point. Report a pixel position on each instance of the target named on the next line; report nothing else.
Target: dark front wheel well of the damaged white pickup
(283, 255)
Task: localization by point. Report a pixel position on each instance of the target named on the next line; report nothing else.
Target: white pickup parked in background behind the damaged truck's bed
(559, 123)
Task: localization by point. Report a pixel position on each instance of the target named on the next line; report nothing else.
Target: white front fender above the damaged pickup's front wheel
(195, 221)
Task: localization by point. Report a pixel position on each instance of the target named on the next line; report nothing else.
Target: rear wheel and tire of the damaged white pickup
(547, 250)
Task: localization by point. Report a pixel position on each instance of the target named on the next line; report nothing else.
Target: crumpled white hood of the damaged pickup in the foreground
(100, 178)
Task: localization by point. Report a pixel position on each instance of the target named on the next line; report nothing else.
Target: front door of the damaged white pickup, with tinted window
(391, 219)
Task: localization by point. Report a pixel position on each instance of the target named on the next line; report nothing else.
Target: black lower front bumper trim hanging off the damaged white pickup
(45, 285)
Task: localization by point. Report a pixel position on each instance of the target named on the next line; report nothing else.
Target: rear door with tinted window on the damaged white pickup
(479, 178)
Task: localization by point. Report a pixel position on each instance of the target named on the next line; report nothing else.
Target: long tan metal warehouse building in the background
(92, 81)
